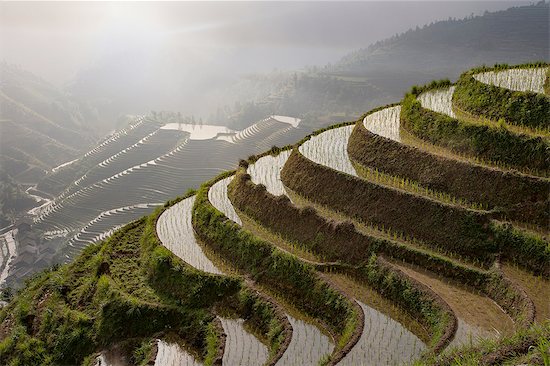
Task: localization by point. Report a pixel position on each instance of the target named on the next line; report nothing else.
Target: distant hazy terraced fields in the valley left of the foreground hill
(147, 163)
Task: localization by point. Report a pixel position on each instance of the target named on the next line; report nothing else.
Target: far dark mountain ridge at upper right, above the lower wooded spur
(515, 35)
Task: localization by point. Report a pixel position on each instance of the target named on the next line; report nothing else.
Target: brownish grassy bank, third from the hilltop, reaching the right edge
(492, 187)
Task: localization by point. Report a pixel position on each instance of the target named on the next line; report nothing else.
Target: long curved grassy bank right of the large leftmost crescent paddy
(284, 274)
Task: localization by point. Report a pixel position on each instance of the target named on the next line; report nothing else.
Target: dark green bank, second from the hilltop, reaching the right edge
(488, 143)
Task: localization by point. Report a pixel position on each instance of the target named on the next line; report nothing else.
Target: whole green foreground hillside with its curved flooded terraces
(369, 242)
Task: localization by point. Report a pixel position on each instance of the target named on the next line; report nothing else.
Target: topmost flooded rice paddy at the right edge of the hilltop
(526, 80)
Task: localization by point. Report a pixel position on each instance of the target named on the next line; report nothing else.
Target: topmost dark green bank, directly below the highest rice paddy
(519, 108)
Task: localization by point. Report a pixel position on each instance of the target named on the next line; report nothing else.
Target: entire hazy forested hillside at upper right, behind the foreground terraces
(379, 73)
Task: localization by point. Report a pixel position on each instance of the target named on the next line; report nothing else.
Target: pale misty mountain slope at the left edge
(42, 127)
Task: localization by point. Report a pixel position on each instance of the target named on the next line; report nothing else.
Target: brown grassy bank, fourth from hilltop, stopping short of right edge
(439, 225)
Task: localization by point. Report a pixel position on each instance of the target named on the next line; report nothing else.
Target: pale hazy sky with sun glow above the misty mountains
(56, 40)
